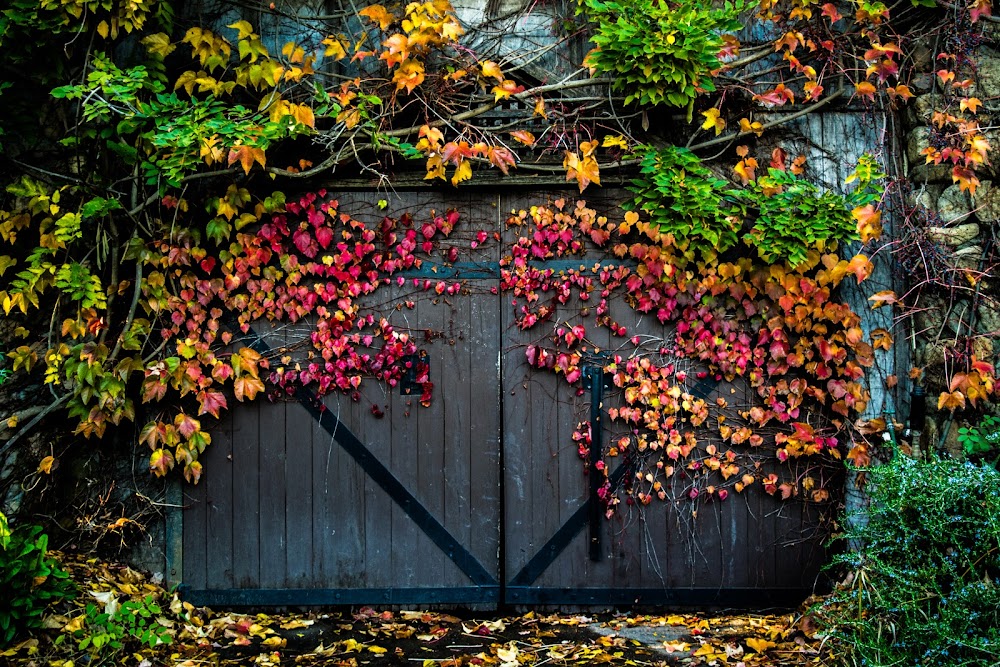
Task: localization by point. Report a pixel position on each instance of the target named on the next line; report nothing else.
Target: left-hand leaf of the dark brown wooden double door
(377, 500)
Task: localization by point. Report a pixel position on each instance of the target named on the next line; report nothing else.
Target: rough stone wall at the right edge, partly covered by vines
(946, 249)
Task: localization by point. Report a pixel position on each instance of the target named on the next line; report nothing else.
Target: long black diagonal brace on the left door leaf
(382, 476)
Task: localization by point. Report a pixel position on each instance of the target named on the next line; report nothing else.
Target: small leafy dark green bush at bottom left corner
(30, 581)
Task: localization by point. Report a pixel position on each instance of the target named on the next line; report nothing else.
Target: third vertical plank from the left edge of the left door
(246, 501)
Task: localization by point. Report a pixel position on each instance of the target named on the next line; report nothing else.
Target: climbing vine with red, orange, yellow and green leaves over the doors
(168, 207)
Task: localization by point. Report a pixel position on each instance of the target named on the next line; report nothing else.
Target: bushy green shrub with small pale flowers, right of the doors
(925, 584)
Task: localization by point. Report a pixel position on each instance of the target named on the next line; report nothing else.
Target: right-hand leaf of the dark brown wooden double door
(561, 549)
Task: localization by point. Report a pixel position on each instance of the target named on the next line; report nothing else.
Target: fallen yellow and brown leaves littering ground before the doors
(367, 636)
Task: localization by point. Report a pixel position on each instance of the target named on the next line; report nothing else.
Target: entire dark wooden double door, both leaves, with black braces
(383, 501)
